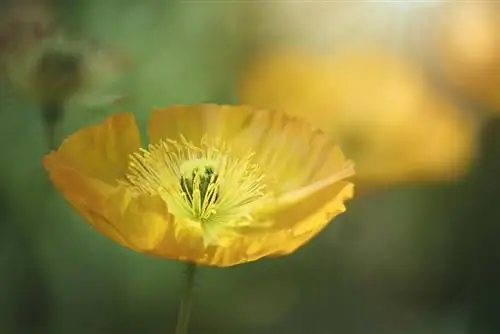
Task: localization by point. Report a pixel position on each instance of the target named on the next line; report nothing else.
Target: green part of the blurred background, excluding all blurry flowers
(406, 258)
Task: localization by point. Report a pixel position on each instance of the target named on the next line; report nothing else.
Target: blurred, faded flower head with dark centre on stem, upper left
(56, 71)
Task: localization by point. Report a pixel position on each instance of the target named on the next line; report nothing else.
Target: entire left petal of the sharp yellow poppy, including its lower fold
(85, 170)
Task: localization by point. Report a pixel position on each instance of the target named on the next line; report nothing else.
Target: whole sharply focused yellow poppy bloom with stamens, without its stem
(217, 185)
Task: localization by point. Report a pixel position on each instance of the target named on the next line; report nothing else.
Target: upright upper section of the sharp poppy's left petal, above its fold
(101, 151)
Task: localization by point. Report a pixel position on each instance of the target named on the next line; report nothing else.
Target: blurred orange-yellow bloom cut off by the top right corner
(467, 48)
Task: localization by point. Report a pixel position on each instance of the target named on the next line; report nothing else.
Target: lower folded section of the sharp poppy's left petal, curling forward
(135, 222)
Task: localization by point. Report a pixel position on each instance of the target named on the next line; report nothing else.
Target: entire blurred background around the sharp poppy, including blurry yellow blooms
(409, 89)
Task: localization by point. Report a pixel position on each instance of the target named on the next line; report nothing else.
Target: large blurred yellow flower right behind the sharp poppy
(377, 106)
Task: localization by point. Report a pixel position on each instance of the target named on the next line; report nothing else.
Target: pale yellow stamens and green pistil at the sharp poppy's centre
(209, 183)
